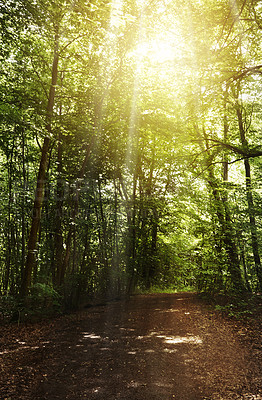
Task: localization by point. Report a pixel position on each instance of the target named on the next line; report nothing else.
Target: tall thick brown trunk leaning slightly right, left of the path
(40, 185)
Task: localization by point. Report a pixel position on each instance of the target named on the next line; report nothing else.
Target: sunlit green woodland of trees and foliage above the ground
(130, 147)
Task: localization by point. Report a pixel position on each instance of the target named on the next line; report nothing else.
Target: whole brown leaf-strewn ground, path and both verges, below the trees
(151, 347)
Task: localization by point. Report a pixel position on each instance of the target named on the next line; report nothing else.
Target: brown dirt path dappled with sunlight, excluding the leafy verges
(153, 347)
